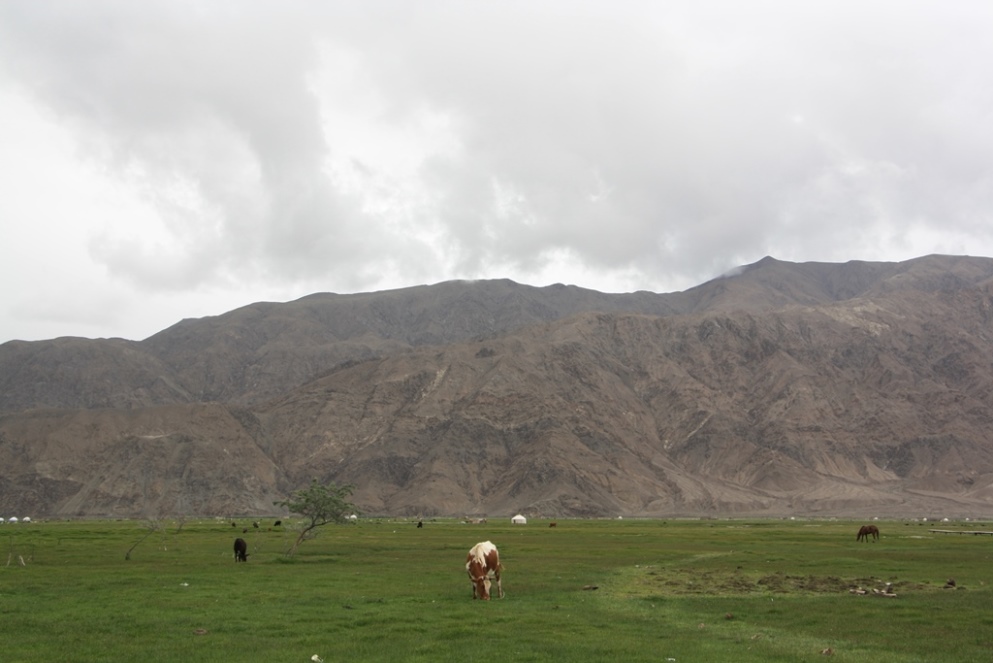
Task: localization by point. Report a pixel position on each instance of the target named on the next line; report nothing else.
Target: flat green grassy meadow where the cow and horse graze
(384, 590)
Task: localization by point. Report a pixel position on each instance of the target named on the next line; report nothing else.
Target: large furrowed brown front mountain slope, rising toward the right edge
(849, 406)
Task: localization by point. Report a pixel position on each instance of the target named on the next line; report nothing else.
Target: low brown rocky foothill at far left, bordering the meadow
(167, 460)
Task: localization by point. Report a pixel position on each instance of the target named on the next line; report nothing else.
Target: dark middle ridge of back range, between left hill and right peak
(260, 351)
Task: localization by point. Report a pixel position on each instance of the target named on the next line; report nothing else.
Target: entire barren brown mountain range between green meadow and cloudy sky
(780, 388)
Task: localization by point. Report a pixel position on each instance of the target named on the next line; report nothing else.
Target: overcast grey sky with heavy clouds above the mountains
(164, 160)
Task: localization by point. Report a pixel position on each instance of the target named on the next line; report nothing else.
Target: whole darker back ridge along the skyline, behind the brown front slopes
(261, 351)
